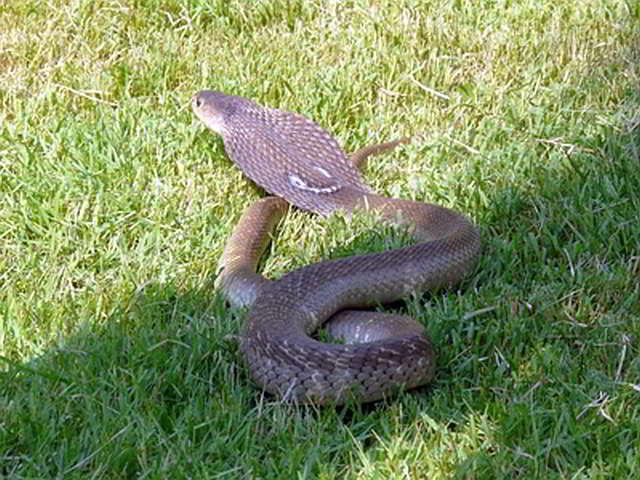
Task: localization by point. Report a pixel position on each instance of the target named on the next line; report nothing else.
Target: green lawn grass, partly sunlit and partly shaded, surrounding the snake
(115, 205)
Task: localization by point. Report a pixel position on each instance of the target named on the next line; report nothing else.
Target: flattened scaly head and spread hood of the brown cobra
(314, 175)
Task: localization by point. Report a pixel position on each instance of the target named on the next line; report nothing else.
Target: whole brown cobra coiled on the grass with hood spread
(300, 163)
